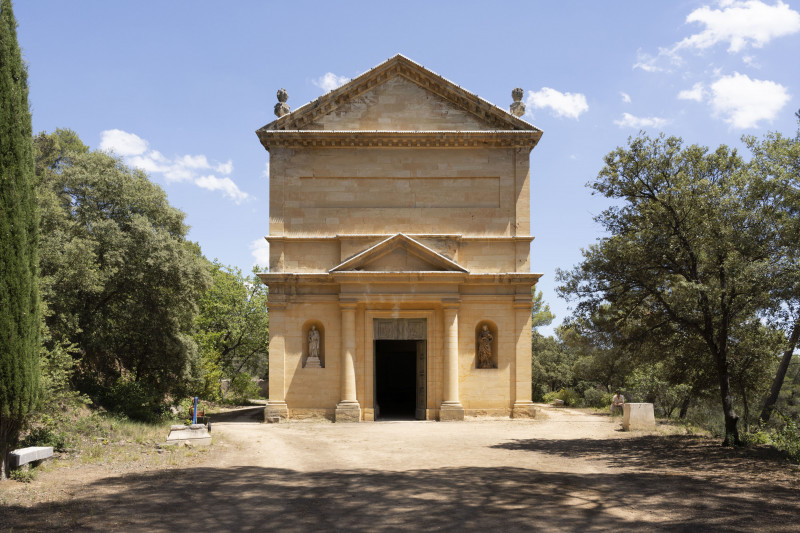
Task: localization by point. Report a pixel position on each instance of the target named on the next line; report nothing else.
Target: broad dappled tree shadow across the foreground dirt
(446, 499)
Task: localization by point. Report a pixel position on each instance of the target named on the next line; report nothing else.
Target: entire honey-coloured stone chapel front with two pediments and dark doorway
(399, 266)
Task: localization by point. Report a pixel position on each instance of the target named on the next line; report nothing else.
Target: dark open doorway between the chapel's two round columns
(395, 379)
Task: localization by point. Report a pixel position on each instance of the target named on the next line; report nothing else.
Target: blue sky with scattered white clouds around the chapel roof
(179, 88)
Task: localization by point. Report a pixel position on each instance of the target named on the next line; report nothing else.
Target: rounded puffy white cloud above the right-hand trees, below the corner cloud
(743, 102)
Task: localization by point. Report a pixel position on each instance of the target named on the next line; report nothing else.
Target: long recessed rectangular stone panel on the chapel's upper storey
(394, 192)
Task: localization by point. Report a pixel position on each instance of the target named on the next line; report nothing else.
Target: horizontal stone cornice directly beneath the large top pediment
(398, 139)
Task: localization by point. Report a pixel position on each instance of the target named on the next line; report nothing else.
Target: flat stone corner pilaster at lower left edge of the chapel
(277, 409)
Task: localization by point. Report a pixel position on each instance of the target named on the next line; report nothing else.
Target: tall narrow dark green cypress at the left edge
(19, 295)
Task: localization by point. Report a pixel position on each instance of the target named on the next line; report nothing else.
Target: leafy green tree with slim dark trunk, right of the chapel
(689, 254)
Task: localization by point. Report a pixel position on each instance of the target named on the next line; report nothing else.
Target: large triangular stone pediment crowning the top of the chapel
(399, 95)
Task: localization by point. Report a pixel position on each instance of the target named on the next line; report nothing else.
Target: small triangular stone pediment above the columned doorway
(399, 253)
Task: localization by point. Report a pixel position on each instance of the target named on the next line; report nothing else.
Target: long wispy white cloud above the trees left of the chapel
(185, 168)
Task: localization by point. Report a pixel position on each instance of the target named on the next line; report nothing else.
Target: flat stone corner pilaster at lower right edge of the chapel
(523, 406)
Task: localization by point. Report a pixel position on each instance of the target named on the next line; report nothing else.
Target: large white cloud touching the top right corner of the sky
(741, 23)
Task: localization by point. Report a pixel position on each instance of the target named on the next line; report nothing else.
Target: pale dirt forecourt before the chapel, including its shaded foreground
(570, 471)
